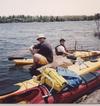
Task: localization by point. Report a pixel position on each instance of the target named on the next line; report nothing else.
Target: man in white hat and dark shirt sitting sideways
(42, 52)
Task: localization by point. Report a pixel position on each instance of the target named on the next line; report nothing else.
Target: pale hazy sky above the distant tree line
(49, 7)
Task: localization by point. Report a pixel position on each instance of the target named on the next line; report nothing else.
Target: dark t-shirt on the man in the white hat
(46, 50)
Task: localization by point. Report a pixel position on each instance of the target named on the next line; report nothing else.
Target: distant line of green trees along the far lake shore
(23, 18)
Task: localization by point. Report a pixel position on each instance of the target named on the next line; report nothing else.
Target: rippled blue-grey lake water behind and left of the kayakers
(15, 38)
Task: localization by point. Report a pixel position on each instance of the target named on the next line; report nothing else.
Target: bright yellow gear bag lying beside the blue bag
(50, 77)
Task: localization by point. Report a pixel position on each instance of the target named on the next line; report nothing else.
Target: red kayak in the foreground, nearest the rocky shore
(41, 95)
